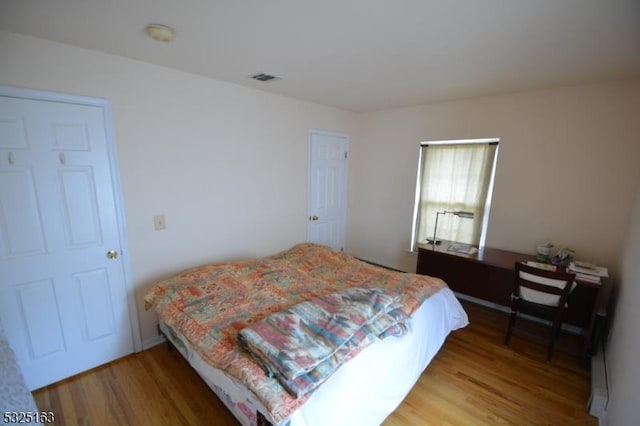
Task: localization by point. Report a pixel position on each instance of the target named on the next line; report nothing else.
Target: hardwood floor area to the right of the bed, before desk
(476, 380)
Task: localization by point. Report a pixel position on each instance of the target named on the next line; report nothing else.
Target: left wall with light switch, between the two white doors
(227, 165)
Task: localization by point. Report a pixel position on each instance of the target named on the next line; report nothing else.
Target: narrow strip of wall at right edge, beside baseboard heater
(623, 349)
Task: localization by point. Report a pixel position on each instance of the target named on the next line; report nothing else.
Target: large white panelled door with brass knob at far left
(63, 297)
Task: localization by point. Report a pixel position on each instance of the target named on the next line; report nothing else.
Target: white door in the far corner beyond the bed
(328, 176)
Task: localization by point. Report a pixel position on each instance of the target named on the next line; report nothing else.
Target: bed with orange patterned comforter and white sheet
(204, 310)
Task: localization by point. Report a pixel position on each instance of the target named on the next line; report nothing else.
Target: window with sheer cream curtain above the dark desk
(454, 176)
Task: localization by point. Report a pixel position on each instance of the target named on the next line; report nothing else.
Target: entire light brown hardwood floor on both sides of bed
(474, 380)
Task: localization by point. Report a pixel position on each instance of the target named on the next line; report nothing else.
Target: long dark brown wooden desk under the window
(489, 275)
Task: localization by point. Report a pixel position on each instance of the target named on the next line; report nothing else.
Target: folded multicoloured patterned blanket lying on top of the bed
(304, 345)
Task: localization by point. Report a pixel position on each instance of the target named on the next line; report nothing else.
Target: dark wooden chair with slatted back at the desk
(542, 294)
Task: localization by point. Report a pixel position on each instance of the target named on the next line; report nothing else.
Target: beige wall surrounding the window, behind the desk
(567, 170)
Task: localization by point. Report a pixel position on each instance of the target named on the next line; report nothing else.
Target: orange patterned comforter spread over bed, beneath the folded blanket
(210, 304)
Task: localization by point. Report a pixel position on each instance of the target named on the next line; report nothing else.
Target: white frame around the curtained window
(419, 178)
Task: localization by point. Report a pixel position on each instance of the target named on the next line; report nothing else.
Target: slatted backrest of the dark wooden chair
(543, 286)
